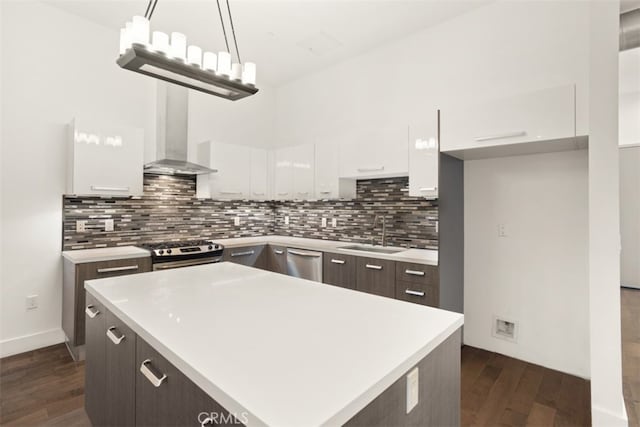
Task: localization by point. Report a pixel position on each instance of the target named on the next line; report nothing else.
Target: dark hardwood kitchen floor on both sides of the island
(45, 387)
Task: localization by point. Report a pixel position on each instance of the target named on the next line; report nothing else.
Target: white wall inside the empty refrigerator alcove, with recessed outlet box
(537, 275)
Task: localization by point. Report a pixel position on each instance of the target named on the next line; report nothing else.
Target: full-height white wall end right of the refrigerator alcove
(607, 404)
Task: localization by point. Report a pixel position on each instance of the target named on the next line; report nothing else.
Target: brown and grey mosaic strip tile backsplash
(169, 210)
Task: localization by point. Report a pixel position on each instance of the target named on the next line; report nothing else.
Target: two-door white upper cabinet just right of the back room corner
(294, 172)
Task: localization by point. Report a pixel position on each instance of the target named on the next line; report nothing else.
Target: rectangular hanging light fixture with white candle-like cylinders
(171, 59)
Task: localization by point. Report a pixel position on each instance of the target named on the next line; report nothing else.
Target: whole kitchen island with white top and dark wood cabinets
(230, 344)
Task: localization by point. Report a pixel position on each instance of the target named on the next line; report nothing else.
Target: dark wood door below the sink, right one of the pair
(376, 276)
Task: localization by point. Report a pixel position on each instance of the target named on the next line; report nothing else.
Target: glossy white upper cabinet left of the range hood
(105, 159)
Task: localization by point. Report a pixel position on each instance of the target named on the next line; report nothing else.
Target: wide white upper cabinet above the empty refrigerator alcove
(542, 115)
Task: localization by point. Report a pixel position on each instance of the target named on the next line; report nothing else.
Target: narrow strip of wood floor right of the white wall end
(630, 308)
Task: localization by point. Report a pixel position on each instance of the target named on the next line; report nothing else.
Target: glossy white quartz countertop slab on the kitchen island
(283, 350)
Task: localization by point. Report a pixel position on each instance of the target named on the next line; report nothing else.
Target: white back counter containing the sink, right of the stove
(419, 256)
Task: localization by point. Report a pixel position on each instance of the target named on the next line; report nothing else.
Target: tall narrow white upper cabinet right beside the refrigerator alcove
(424, 157)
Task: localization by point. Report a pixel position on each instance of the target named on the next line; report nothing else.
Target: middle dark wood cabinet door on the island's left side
(121, 372)
